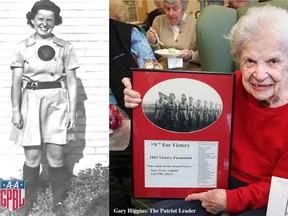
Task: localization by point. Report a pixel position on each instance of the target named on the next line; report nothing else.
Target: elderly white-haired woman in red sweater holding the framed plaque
(259, 42)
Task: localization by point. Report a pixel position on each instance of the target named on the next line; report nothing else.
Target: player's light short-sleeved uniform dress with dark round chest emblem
(44, 111)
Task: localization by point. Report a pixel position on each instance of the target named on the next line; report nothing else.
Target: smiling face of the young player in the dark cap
(44, 23)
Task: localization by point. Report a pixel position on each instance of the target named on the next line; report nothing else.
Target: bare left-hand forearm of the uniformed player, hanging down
(17, 118)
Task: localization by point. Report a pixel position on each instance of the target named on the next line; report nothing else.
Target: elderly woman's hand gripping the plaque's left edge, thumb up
(131, 97)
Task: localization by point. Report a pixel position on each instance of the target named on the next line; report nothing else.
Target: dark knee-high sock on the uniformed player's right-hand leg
(58, 178)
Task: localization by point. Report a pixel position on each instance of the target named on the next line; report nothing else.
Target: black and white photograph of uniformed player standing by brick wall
(53, 79)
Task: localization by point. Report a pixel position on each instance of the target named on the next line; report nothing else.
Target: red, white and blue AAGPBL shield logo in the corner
(12, 194)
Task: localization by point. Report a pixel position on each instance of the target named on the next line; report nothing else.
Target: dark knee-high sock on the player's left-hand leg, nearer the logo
(31, 177)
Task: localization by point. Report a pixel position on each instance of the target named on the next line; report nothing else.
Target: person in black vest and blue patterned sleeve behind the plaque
(128, 49)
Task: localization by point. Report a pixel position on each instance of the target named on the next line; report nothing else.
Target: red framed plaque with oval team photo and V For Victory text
(181, 132)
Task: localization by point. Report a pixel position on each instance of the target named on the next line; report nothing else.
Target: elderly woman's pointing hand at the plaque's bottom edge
(214, 201)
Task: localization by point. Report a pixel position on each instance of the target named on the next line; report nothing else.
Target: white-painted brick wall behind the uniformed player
(85, 25)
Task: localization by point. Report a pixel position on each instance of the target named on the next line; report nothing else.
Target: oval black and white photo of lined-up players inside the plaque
(182, 105)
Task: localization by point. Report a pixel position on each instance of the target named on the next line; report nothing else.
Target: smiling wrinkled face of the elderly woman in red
(264, 67)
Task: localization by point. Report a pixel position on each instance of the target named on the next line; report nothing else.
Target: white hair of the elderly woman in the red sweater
(259, 21)
